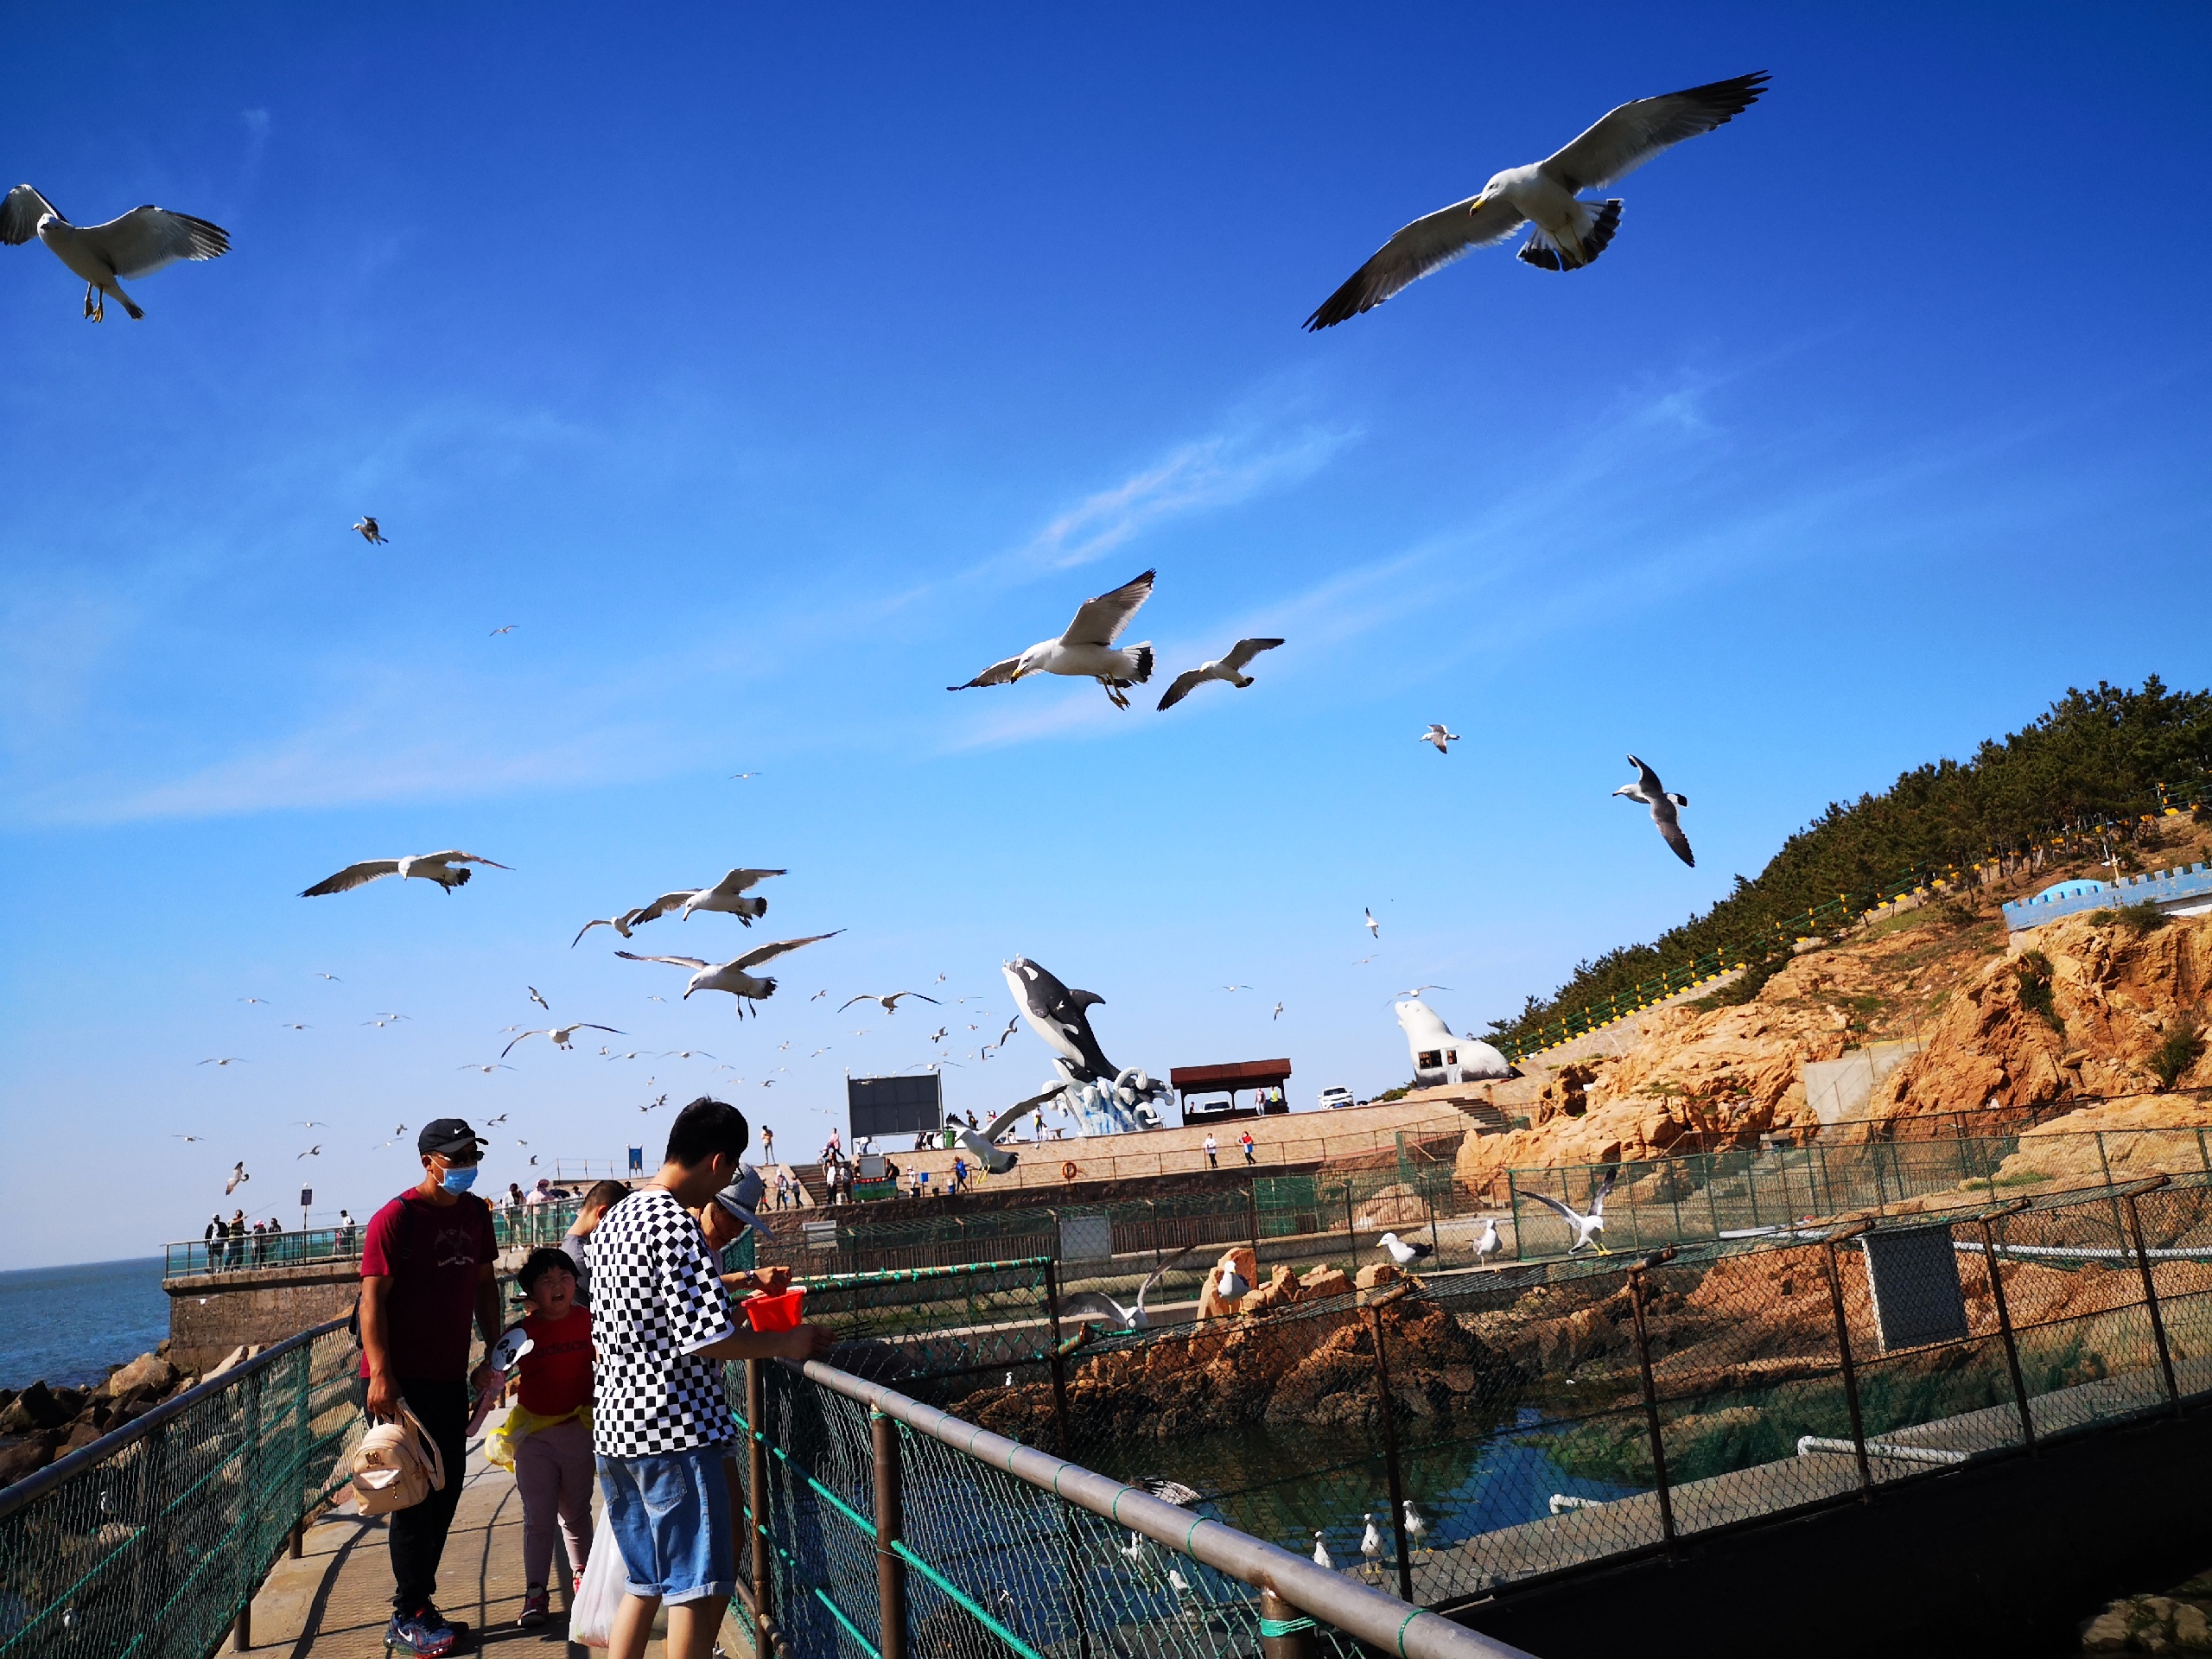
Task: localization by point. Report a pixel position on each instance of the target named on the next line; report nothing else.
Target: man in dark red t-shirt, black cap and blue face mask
(428, 1266)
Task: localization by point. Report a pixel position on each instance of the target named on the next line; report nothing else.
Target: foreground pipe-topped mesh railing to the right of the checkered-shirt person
(886, 1527)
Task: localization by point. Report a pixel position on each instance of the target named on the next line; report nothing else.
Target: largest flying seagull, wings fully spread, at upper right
(1565, 231)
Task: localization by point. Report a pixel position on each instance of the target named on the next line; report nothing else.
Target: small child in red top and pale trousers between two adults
(547, 1437)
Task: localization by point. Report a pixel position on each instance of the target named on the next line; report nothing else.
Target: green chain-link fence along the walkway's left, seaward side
(149, 1543)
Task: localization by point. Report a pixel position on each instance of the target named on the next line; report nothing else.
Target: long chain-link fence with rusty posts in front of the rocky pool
(1552, 1415)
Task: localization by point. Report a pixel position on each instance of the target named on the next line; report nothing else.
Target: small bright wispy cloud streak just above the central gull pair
(1209, 472)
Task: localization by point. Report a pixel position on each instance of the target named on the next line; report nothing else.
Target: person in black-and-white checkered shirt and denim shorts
(660, 1419)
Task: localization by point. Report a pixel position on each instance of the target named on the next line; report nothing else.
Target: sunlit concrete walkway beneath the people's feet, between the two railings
(337, 1598)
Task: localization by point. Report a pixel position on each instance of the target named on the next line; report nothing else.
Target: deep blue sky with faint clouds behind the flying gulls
(775, 371)
